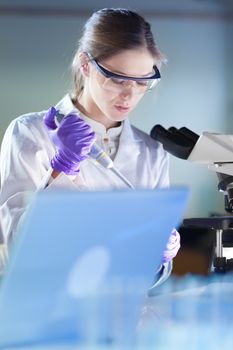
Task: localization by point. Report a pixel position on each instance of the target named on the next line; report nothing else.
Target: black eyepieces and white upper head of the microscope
(211, 149)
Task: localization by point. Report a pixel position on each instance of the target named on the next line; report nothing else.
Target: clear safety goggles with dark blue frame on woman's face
(116, 82)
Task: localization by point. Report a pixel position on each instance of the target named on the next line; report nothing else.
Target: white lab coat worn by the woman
(25, 162)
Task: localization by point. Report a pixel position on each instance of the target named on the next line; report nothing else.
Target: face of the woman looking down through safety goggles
(109, 103)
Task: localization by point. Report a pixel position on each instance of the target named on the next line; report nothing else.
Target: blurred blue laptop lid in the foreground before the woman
(82, 262)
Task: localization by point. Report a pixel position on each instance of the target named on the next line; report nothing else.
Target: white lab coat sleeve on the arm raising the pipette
(24, 164)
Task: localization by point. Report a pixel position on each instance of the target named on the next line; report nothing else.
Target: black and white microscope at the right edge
(216, 151)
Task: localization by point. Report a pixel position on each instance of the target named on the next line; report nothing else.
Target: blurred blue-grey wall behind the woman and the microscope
(38, 40)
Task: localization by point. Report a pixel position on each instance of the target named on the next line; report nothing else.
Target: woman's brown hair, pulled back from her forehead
(109, 31)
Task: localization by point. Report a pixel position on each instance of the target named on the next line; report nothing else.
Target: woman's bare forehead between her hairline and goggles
(131, 62)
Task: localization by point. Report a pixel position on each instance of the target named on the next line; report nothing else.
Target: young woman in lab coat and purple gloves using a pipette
(116, 63)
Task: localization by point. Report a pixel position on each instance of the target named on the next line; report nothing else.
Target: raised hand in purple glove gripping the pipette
(73, 139)
